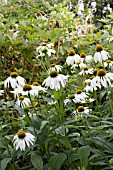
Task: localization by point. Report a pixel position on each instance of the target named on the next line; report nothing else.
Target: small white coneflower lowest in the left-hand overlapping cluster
(23, 101)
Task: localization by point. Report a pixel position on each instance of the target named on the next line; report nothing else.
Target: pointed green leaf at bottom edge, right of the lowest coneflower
(37, 161)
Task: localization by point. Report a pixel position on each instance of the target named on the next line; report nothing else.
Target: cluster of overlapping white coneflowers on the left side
(21, 89)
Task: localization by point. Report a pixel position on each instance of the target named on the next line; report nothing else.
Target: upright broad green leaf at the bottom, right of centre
(83, 153)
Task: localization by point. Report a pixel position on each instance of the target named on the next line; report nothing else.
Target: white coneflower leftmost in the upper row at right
(72, 57)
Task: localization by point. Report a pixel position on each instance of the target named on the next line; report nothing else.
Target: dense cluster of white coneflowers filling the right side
(98, 77)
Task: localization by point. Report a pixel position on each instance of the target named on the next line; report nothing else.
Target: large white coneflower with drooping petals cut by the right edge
(102, 79)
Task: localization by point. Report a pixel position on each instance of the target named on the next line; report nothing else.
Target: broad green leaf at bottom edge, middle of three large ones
(56, 161)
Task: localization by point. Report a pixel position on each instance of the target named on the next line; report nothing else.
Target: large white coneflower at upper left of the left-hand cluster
(14, 80)
